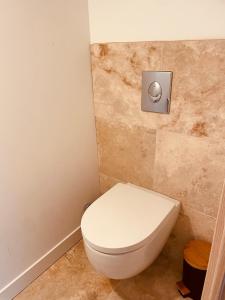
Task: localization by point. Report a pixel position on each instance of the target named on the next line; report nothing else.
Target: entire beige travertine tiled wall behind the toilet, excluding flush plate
(181, 154)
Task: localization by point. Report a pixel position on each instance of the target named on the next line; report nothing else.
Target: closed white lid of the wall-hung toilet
(123, 218)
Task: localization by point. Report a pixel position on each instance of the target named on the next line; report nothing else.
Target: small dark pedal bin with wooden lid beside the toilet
(196, 257)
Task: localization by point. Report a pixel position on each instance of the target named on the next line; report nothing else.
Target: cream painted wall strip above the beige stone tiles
(147, 20)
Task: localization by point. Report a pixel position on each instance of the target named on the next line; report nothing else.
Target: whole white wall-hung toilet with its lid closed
(126, 228)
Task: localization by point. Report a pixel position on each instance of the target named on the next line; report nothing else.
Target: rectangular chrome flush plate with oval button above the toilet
(156, 91)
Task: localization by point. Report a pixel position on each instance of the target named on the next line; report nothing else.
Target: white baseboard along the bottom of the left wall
(39, 266)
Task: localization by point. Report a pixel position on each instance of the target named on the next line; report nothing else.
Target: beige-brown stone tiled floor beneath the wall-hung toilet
(73, 278)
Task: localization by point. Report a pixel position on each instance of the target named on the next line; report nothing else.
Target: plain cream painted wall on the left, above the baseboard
(48, 160)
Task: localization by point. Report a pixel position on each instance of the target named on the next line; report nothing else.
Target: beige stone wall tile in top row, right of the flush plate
(198, 87)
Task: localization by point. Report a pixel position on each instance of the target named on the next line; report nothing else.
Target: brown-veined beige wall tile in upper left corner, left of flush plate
(117, 70)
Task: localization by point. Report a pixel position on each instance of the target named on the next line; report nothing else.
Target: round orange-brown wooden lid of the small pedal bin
(196, 254)
